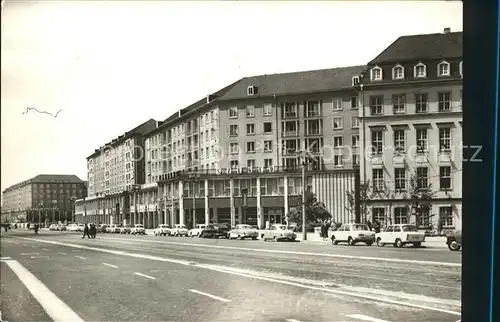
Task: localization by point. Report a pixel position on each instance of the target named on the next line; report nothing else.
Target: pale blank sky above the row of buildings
(112, 65)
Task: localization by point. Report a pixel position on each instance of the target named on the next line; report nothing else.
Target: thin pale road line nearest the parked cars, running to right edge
(275, 251)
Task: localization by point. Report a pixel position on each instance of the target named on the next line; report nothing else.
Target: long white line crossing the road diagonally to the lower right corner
(226, 271)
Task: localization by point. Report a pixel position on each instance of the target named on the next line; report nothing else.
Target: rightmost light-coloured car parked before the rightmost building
(400, 235)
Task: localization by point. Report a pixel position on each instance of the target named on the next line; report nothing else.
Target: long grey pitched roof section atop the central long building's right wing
(295, 83)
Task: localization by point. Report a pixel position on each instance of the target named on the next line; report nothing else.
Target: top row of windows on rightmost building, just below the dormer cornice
(421, 103)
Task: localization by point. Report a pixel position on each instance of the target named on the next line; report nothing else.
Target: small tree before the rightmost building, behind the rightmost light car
(420, 195)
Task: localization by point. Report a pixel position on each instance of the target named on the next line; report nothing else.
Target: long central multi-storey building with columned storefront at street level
(236, 155)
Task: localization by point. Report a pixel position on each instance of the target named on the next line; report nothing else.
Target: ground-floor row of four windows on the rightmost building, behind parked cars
(401, 216)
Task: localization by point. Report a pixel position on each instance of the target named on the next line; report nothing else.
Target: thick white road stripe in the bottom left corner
(54, 306)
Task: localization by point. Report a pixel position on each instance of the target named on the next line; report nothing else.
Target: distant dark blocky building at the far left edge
(44, 198)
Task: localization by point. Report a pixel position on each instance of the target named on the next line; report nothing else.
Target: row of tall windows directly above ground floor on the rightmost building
(401, 182)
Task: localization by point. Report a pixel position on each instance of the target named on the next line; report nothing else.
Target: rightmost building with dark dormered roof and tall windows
(412, 130)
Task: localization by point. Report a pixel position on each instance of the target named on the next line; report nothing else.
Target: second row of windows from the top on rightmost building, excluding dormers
(399, 140)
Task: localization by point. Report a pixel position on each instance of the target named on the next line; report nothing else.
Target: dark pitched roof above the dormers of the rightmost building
(422, 47)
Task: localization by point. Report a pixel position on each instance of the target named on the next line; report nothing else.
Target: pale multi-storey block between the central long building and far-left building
(112, 171)
